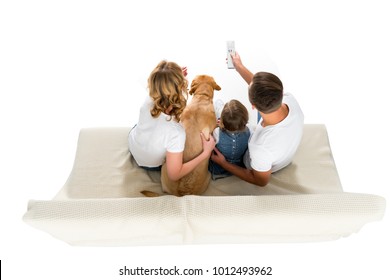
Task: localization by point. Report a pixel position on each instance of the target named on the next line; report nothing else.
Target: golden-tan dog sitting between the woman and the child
(198, 116)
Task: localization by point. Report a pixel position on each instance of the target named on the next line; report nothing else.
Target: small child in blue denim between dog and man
(231, 136)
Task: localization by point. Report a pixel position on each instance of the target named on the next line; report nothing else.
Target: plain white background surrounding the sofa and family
(65, 65)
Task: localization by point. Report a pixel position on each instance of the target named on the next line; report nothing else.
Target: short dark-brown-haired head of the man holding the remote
(266, 92)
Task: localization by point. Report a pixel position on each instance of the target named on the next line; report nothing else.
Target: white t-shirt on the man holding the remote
(273, 147)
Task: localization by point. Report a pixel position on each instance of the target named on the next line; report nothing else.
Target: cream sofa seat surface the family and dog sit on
(103, 168)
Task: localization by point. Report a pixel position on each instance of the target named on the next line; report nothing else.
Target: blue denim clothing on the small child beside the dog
(233, 146)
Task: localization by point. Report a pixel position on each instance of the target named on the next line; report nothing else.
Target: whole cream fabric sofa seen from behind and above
(101, 205)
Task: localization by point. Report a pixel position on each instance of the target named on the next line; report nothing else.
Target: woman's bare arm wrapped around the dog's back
(176, 169)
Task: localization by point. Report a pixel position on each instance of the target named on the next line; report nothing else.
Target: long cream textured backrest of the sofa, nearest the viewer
(199, 219)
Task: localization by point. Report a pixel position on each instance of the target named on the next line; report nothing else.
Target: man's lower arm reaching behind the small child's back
(251, 176)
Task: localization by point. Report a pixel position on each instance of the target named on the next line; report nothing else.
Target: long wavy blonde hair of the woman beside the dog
(166, 86)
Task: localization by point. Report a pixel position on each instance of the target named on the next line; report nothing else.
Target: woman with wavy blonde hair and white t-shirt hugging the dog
(158, 136)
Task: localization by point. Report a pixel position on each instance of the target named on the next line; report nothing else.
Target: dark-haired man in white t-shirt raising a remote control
(277, 136)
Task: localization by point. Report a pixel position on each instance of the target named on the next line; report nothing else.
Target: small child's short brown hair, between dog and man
(234, 116)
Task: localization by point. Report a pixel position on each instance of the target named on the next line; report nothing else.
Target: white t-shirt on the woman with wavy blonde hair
(152, 137)
